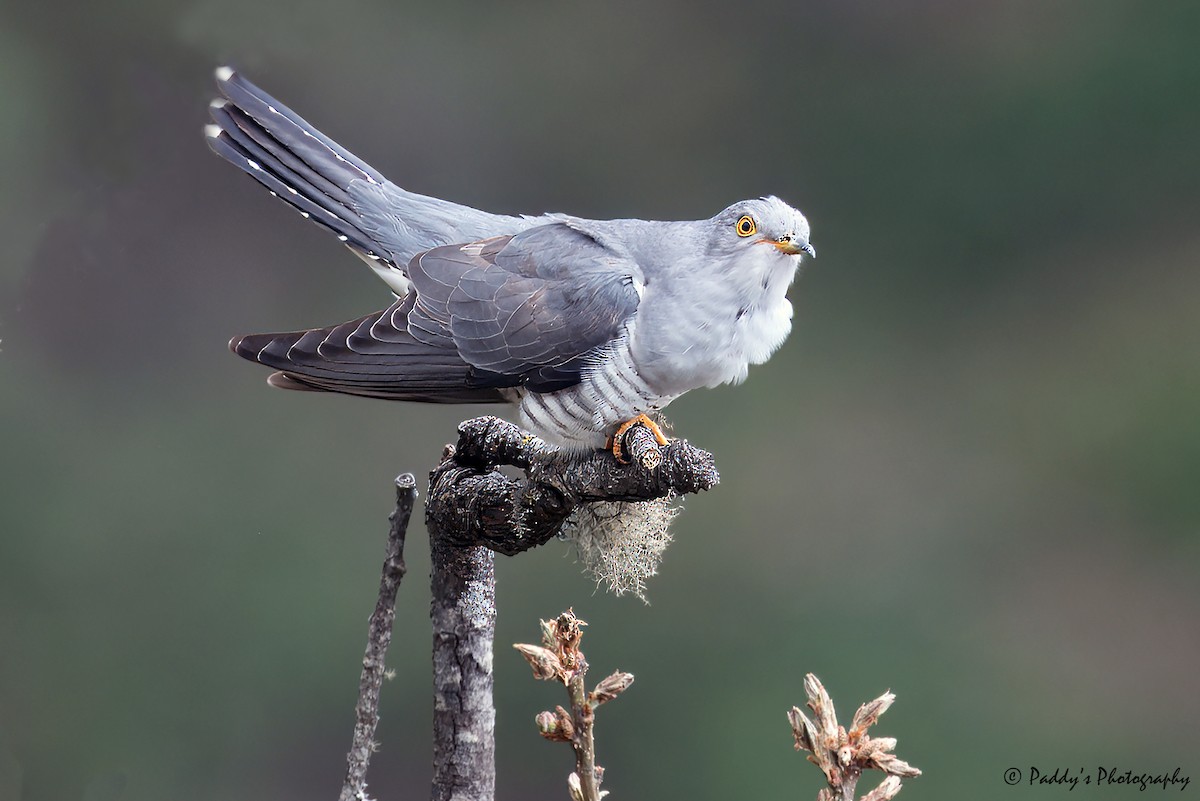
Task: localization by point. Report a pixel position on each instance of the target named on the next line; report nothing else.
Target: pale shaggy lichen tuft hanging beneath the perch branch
(622, 544)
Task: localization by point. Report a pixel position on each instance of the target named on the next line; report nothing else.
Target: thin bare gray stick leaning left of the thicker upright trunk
(367, 712)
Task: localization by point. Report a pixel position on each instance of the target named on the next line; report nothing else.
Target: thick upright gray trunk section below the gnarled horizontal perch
(464, 615)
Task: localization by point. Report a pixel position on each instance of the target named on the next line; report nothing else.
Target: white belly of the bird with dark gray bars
(587, 414)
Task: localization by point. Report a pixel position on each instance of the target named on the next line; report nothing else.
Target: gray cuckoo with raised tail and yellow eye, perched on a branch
(586, 326)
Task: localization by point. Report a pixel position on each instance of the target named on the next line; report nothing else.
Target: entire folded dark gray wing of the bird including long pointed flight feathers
(530, 311)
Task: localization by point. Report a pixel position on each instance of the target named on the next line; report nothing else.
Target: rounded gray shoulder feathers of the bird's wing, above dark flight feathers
(533, 308)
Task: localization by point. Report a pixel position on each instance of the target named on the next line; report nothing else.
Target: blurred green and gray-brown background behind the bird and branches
(969, 477)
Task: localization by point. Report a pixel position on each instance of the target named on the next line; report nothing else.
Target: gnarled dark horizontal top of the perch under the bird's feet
(475, 504)
